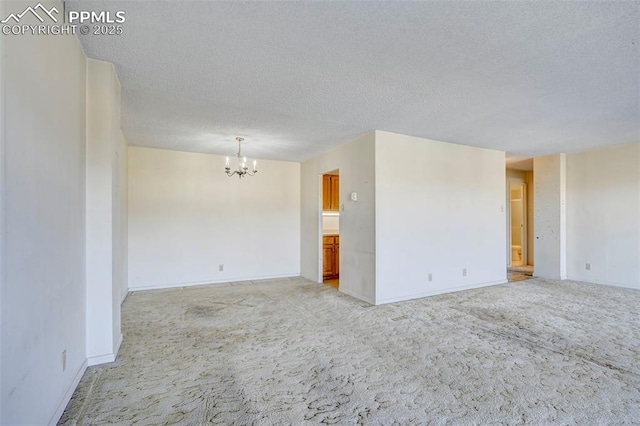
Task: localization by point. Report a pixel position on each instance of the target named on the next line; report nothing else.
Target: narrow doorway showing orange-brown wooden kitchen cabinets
(330, 228)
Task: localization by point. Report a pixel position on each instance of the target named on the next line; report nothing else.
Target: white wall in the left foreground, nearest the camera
(43, 186)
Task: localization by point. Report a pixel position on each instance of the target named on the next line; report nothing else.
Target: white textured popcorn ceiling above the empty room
(298, 78)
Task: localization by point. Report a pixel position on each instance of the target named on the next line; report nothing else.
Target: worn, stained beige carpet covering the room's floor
(294, 352)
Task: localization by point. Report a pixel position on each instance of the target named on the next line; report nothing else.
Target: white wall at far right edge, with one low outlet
(603, 215)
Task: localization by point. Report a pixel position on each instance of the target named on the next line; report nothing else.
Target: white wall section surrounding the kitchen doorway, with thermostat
(355, 160)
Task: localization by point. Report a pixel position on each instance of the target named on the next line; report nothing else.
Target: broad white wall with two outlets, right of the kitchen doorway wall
(440, 208)
